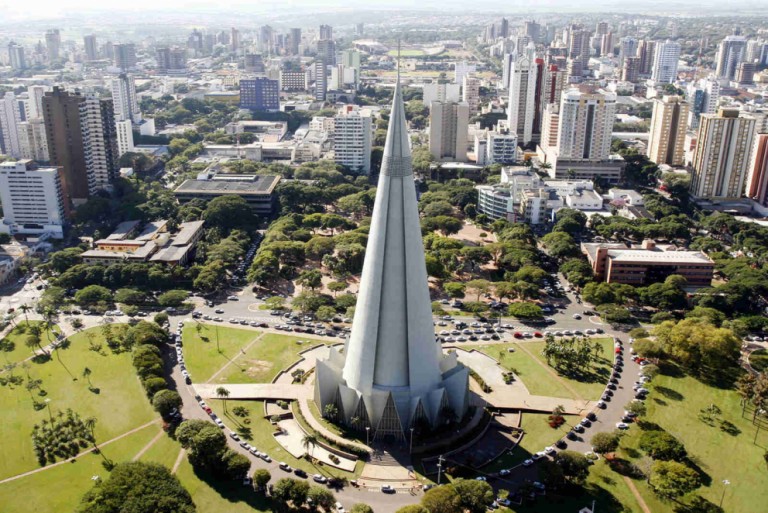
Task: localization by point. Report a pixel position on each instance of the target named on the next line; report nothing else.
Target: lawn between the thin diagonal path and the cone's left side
(266, 358)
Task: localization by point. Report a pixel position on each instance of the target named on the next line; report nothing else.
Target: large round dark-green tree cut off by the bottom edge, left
(138, 487)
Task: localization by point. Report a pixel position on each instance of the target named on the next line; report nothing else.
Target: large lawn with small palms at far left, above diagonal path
(118, 401)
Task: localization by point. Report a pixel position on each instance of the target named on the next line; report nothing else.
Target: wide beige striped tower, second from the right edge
(721, 160)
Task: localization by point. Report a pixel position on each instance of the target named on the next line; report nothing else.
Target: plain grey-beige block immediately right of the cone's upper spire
(448, 124)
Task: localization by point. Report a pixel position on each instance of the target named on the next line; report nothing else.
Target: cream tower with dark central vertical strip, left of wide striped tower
(666, 141)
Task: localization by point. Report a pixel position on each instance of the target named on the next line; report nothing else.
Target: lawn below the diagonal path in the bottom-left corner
(60, 488)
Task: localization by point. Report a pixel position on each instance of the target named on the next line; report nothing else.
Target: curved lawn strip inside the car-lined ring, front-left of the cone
(262, 439)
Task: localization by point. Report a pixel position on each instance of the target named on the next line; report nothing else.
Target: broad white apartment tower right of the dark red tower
(586, 122)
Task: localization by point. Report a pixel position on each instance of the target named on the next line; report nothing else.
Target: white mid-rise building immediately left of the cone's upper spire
(352, 139)
